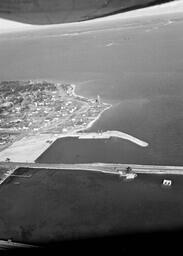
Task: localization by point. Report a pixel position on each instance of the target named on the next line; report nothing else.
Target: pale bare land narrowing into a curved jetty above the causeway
(29, 148)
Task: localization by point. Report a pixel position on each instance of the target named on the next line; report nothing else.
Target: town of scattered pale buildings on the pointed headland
(33, 107)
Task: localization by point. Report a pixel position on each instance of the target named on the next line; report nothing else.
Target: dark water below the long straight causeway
(54, 205)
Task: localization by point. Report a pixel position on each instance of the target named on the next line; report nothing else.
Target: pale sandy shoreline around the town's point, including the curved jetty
(31, 146)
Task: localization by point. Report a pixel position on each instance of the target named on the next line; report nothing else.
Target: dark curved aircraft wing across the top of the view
(63, 11)
